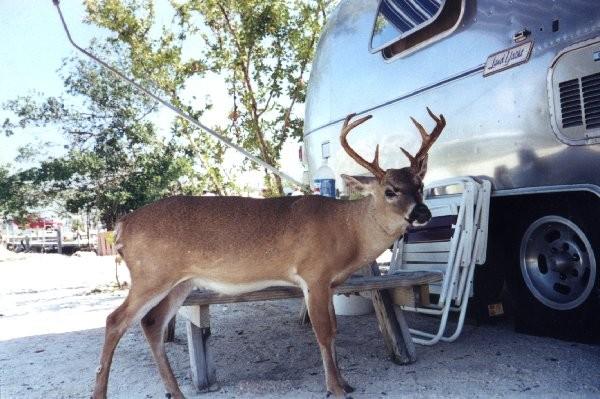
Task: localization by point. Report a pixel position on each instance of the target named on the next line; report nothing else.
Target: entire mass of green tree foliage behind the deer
(116, 159)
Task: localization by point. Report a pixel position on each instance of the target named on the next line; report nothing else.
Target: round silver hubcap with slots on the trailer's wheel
(557, 262)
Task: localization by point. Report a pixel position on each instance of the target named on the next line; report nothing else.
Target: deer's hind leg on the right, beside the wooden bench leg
(155, 323)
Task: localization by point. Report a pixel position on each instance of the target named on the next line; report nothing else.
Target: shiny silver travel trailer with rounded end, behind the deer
(519, 84)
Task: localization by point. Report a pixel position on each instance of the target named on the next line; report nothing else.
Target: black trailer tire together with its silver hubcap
(554, 278)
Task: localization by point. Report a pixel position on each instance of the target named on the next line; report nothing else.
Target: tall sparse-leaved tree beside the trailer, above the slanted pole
(263, 50)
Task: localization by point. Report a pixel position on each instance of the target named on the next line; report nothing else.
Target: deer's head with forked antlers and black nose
(398, 192)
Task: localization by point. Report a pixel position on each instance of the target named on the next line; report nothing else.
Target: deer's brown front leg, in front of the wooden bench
(318, 301)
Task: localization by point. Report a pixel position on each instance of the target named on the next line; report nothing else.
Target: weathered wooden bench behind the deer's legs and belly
(396, 335)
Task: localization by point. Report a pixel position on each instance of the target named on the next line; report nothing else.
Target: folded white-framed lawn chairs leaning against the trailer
(452, 243)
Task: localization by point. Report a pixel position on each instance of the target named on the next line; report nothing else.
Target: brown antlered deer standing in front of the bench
(236, 244)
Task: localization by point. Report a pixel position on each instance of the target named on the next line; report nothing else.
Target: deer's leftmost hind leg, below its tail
(143, 295)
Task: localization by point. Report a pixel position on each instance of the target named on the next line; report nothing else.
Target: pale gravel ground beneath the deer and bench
(52, 311)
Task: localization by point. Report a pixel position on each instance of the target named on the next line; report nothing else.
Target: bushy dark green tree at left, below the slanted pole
(116, 161)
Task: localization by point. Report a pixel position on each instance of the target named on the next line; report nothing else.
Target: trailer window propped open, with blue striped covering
(404, 26)
